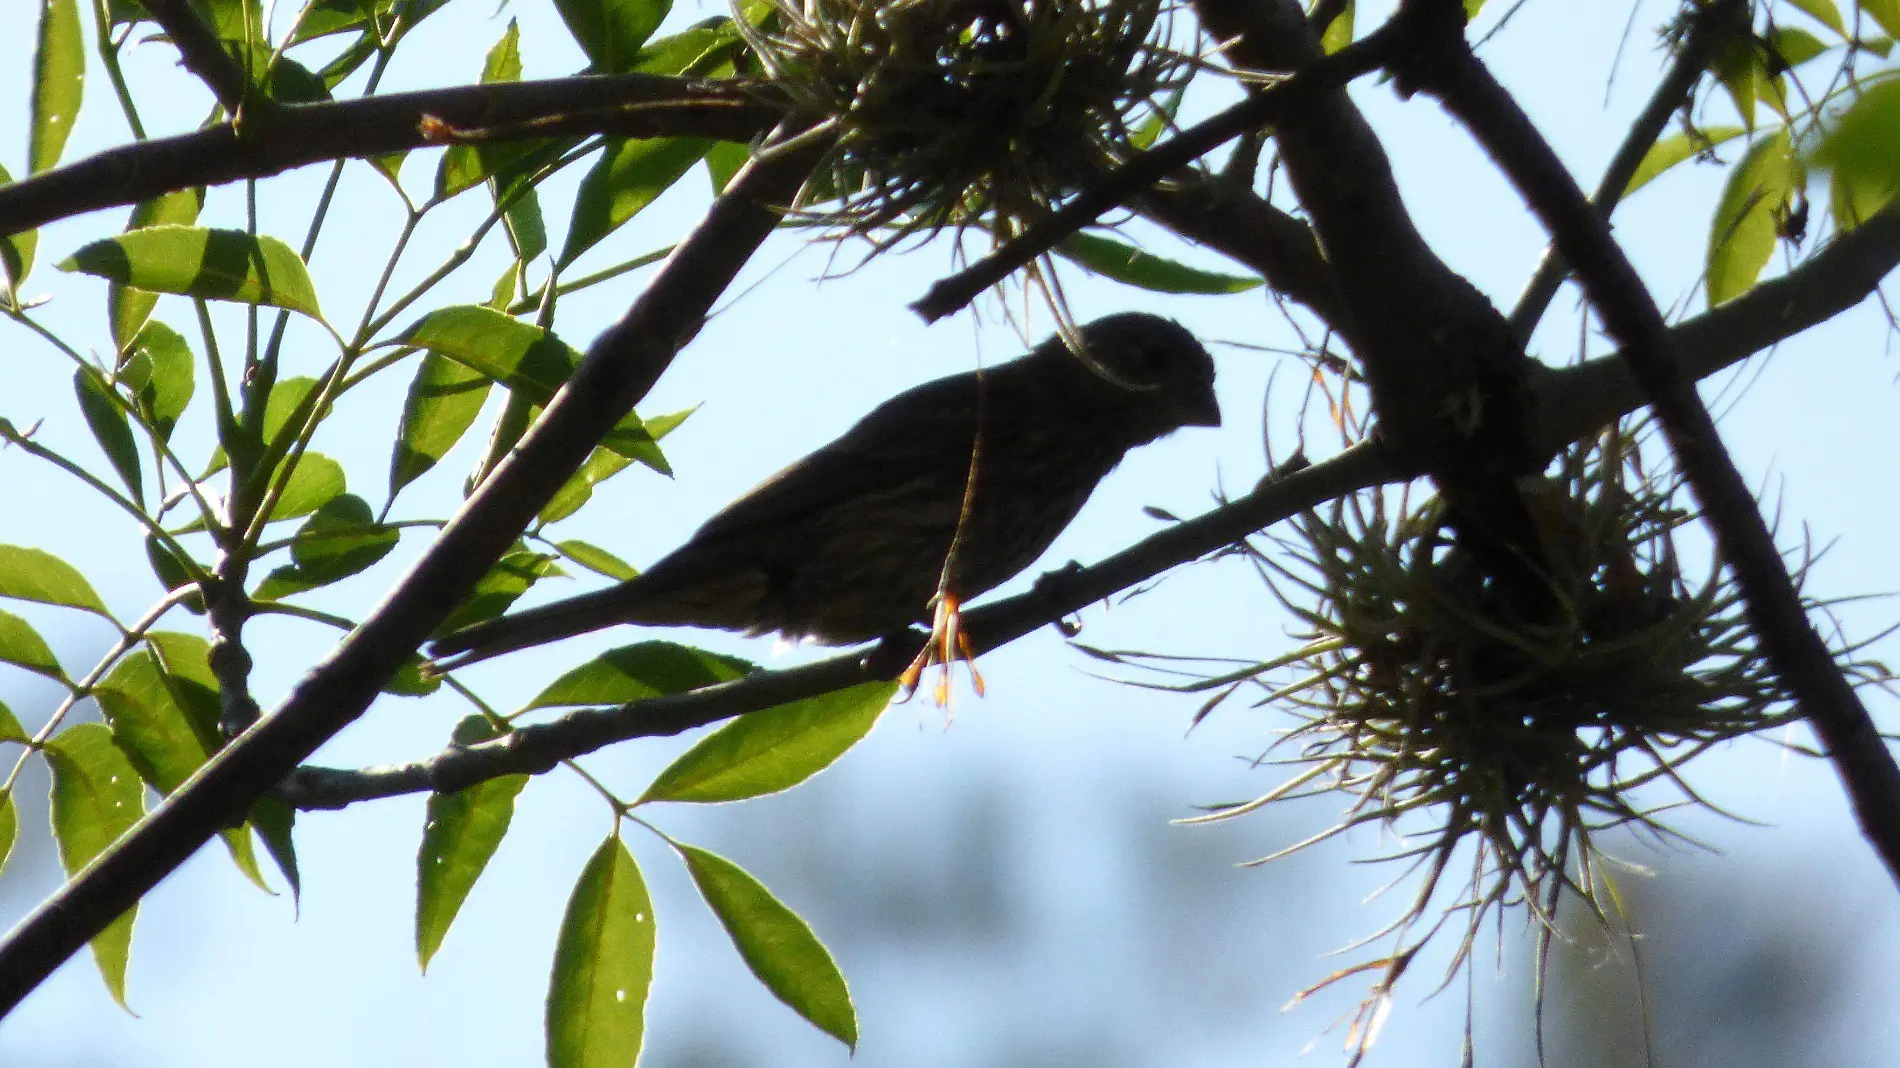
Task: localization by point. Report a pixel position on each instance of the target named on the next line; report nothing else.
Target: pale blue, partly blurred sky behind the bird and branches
(1004, 890)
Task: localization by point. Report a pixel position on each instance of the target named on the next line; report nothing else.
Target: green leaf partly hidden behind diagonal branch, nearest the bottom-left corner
(96, 799)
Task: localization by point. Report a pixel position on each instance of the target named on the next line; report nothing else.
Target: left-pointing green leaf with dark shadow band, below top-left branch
(218, 265)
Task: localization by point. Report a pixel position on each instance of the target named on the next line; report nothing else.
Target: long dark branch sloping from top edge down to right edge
(1631, 316)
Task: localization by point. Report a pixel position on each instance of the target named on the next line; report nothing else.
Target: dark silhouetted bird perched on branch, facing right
(951, 487)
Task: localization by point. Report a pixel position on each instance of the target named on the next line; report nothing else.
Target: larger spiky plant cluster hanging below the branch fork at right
(1492, 731)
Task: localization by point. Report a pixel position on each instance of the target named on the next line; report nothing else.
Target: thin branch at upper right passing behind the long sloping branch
(1711, 28)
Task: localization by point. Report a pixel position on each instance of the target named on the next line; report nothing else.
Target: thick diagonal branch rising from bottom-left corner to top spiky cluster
(618, 370)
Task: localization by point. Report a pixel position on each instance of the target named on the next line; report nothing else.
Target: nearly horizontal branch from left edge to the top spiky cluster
(295, 136)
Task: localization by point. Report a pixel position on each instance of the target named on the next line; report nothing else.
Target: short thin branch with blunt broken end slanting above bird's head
(1266, 107)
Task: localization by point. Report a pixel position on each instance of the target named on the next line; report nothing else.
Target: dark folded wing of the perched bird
(924, 432)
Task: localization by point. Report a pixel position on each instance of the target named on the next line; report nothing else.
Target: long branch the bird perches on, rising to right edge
(1582, 400)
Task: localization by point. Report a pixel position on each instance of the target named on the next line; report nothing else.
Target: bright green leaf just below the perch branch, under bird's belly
(772, 750)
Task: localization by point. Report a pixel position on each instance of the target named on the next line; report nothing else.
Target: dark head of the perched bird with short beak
(1156, 366)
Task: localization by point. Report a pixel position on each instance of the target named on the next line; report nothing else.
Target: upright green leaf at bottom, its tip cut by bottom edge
(603, 966)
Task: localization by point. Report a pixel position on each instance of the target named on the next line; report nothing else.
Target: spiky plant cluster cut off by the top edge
(957, 113)
